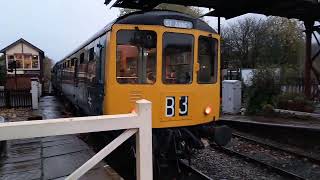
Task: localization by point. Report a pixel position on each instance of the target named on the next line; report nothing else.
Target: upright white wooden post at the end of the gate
(144, 141)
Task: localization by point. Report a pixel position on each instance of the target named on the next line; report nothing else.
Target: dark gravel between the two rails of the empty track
(278, 158)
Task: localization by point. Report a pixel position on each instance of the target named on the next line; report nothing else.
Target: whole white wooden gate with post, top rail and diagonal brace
(139, 123)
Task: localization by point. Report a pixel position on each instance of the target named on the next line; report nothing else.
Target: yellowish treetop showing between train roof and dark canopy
(192, 11)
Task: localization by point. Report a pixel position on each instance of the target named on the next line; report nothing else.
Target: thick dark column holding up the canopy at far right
(308, 59)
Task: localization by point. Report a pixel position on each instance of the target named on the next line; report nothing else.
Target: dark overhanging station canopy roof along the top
(299, 9)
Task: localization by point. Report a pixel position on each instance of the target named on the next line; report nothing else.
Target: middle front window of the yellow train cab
(177, 59)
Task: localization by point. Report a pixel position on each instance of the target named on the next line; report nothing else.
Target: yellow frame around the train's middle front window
(192, 58)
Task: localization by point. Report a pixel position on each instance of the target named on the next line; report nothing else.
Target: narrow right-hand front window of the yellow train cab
(207, 59)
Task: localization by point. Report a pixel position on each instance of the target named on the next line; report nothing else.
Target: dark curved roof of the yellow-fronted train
(154, 17)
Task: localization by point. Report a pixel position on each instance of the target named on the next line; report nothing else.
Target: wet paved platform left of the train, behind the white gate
(50, 157)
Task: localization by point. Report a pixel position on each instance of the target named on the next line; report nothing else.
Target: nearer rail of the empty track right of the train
(256, 161)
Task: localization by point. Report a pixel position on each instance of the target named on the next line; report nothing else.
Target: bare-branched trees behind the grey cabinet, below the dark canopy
(272, 41)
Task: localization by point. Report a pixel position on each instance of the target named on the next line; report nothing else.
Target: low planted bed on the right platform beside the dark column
(295, 102)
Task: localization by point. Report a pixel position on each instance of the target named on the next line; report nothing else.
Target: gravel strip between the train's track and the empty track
(218, 165)
